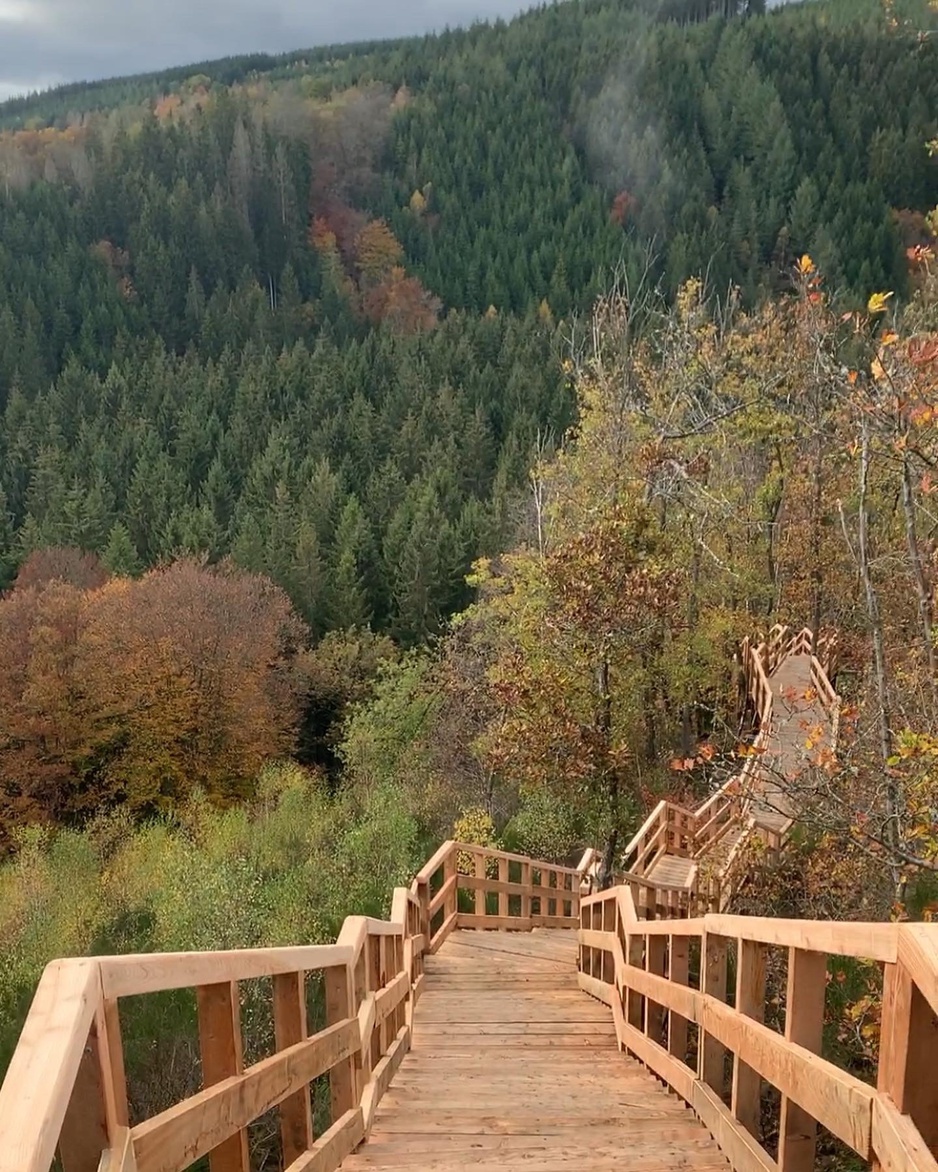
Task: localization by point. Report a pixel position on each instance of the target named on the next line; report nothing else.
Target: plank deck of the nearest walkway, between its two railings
(513, 1067)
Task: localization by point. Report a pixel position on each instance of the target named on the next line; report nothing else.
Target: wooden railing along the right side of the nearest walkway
(675, 1010)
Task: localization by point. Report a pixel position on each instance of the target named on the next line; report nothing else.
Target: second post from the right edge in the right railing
(804, 1025)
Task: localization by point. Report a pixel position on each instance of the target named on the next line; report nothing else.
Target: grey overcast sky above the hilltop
(44, 43)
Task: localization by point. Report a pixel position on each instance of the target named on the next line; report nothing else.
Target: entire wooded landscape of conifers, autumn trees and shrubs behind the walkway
(400, 435)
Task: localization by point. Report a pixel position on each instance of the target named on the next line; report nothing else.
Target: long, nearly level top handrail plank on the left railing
(124, 977)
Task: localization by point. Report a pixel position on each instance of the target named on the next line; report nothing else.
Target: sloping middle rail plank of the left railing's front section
(214, 1121)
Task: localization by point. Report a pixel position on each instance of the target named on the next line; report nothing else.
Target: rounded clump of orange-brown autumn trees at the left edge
(139, 692)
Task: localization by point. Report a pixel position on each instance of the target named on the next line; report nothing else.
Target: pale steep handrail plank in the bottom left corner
(38, 1087)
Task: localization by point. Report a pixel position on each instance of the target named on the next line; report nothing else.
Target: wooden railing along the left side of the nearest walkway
(66, 1089)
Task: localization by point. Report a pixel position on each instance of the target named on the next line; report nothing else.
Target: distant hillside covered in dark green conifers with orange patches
(305, 310)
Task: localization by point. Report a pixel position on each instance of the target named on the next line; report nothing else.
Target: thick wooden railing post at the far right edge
(908, 1051)
